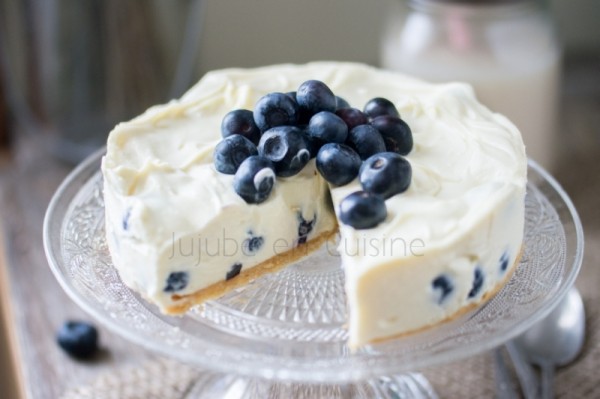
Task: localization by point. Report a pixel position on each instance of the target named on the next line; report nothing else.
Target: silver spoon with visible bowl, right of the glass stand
(556, 340)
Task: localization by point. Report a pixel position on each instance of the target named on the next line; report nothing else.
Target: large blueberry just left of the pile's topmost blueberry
(275, 109)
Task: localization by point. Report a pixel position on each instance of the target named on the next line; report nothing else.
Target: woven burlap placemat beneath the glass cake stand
(470, 378)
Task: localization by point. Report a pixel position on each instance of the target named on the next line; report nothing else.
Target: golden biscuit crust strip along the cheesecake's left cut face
(274, 264)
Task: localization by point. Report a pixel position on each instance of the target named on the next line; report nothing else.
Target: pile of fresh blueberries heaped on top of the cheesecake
(286, 130)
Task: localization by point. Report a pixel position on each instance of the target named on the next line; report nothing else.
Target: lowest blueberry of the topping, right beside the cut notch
(362, 210)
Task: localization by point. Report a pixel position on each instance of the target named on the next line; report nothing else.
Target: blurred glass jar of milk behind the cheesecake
(507, 49)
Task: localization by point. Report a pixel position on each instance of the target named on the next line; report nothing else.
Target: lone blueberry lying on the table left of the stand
(78, 339)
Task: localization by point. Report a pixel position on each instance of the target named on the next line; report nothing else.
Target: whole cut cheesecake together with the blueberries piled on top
(222, 186)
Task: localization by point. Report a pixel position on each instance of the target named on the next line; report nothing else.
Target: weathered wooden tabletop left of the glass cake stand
(37, 306)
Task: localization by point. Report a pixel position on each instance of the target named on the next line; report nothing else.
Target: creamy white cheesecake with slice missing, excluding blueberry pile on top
(178, 233)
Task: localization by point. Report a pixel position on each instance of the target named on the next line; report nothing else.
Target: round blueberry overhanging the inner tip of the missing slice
(338, 163)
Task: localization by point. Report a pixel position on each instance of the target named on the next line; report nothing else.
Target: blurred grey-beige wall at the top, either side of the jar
(259, 32)
